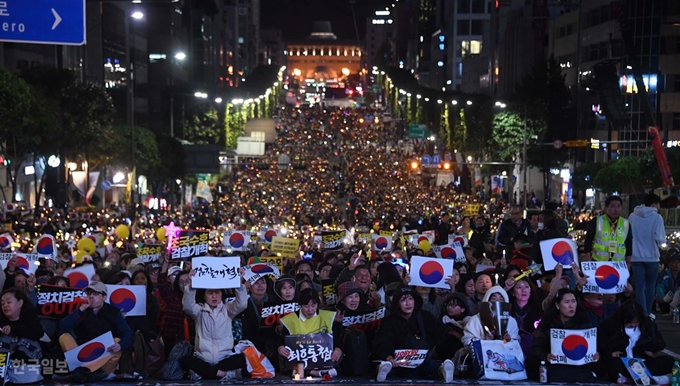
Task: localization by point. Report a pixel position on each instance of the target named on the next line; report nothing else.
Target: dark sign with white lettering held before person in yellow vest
(313, 350)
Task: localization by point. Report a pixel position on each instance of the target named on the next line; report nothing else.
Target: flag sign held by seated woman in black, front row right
(573, 347)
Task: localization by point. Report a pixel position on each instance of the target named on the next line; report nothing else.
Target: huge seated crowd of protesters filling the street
(352, 175)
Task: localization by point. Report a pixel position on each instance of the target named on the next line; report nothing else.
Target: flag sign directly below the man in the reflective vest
(605, 277)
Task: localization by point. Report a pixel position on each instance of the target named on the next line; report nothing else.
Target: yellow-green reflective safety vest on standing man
(609, 245)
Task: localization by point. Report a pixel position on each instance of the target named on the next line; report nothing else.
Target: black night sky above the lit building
(296, 17)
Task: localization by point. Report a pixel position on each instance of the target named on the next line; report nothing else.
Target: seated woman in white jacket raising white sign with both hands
(213, 356)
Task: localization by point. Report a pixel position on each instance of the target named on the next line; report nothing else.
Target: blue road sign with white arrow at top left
(43, 21)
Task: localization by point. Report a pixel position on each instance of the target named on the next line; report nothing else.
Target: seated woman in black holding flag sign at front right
(563, 314)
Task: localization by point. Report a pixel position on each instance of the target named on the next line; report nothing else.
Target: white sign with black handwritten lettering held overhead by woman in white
(216, 272)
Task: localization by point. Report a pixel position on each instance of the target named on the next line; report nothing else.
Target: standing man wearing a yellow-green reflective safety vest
(609, 236)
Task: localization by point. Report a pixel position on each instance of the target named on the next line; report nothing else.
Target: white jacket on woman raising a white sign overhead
(214, 338)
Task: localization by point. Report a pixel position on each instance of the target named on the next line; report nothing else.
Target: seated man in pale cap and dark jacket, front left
(91, 320)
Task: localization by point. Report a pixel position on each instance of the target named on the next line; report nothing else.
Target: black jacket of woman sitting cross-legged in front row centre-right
(394, 330)
